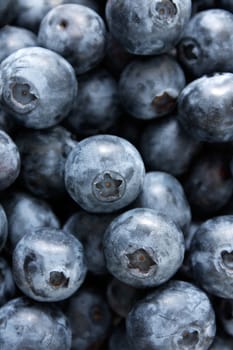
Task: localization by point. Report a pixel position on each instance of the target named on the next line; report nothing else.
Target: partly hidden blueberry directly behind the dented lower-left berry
(27, 213)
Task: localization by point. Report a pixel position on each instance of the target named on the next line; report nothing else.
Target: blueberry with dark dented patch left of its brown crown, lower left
(48, 264)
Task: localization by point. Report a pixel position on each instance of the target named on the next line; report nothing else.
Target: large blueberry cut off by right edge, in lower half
(211, 256)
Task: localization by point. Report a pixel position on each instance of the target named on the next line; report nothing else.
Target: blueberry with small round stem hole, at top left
(76, 32)
